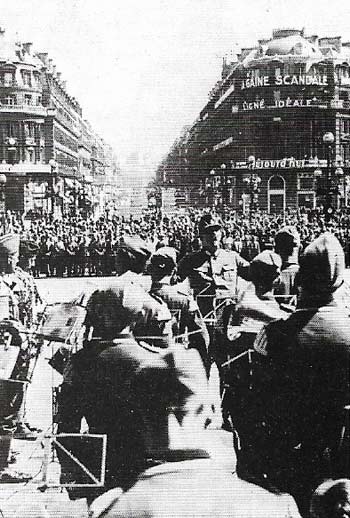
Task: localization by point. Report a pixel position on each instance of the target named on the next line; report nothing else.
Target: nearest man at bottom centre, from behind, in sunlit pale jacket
(195, 473)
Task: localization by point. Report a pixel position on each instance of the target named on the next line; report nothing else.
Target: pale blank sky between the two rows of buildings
(142, 69)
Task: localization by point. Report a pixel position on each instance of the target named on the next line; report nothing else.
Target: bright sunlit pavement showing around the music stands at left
(21, 500)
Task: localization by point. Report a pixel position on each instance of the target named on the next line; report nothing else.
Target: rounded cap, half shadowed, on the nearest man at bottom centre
(174, 380)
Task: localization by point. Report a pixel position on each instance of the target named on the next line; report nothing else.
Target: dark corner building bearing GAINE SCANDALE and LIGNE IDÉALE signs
(274, 133)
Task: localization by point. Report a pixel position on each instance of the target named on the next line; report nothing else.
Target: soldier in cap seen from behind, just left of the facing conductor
(189, 321)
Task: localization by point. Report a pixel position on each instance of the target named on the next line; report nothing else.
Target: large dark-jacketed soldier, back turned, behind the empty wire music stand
(97, 385)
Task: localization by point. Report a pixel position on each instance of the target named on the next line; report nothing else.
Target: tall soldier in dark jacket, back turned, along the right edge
(303, 391)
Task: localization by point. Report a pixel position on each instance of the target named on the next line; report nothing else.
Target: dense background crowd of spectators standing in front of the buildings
(77, 246)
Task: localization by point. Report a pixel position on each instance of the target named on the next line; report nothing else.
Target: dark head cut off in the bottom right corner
(331, 500)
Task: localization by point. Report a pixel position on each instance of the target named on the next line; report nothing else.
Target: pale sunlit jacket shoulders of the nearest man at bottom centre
(181, 489)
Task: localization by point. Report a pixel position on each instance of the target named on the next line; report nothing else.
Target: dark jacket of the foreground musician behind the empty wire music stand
(98, 389)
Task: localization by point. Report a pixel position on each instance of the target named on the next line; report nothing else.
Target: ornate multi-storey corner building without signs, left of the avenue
(51, 160)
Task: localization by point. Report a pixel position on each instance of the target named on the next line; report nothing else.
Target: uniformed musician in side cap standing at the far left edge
(17, 313)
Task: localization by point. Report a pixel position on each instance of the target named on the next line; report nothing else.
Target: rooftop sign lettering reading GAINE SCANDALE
(284, 80)
